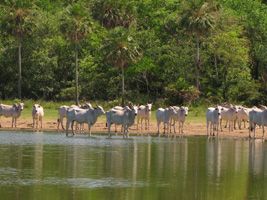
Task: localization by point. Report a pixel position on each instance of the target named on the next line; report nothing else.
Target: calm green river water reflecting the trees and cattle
(52, 166)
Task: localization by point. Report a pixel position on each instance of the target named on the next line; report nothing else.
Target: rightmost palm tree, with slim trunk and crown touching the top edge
(198, 20)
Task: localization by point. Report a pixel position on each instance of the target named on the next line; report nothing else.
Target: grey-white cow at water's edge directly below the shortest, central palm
(124, 117)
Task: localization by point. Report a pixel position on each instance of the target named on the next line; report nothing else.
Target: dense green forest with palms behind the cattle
(171, 51)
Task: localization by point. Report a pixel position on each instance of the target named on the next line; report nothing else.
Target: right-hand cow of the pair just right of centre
(179, 116)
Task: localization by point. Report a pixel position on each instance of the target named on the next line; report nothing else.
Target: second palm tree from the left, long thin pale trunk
(75, 25)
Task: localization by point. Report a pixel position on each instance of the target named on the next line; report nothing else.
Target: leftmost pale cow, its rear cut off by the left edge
(13, 111)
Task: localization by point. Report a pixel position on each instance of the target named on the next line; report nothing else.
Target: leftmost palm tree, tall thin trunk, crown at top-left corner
(18, 21)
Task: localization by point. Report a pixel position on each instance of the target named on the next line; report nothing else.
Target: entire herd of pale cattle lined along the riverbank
(125, 116)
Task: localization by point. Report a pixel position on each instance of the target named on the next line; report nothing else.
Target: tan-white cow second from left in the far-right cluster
(229, 115)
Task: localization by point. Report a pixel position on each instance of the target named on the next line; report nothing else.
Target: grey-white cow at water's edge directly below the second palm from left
(88, 116)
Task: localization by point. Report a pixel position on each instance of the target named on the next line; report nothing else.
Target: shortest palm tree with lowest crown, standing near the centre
(121, 50)
